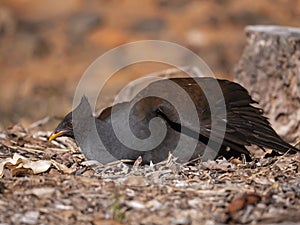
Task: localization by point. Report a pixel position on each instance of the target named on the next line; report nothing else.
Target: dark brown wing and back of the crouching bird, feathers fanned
(230, 119)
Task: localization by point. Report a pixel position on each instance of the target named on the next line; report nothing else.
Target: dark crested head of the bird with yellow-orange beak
(66, 127)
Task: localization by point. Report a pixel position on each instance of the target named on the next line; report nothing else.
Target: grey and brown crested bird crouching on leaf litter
(218, 118)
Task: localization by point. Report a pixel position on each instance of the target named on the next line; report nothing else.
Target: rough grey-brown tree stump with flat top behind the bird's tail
(270, 69)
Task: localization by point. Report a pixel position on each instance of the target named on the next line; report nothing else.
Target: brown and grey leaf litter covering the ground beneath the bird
(52, 183)
